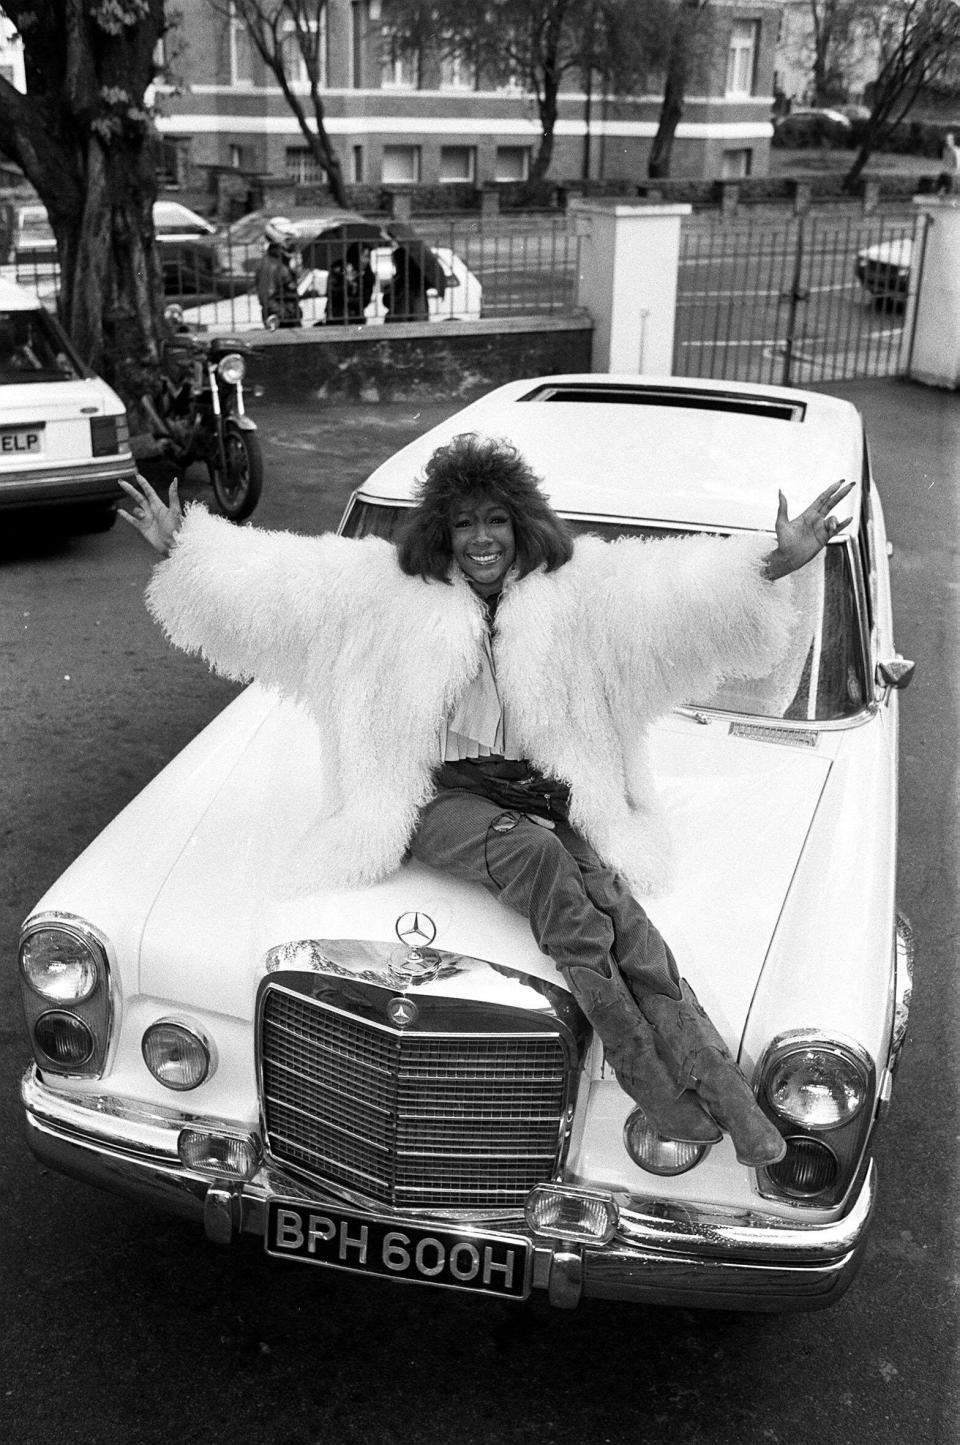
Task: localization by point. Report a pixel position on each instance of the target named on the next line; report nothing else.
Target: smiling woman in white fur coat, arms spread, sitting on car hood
(484, 694)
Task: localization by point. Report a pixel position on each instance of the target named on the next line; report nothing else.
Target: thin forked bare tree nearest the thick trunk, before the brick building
(288, 35)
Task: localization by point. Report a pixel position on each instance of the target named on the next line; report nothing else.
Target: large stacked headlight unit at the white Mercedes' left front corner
(66, 991)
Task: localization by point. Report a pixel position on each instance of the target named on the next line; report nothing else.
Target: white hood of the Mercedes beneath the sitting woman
(741, 810)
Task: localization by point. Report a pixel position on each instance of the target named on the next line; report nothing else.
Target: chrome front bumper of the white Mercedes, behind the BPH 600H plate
(661, 1255)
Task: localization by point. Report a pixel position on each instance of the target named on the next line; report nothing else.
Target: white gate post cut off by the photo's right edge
(936, 348)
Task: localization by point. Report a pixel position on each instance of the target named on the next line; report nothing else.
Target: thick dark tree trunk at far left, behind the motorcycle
(86, 141)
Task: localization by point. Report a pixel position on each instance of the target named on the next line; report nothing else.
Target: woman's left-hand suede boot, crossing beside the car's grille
(631, 1048)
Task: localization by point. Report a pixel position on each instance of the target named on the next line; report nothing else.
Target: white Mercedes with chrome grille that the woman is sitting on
(394, 1080)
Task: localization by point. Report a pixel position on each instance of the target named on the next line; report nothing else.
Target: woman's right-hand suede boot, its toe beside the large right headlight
(698, 1057)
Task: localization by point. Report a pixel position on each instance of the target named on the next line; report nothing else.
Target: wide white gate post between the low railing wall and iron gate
(630, 256)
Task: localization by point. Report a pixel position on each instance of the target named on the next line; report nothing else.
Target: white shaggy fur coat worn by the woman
(586, 657)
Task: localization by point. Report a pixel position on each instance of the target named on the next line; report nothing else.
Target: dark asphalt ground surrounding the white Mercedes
(125, 1327)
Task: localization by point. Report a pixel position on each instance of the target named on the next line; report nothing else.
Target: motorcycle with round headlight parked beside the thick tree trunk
(200, 417)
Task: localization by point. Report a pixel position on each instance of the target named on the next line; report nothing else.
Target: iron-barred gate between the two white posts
(816, 298)
